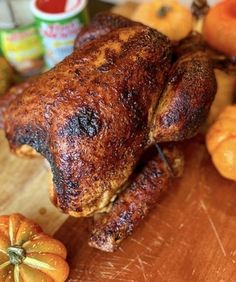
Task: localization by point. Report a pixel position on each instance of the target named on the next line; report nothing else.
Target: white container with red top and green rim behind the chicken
(58, 24)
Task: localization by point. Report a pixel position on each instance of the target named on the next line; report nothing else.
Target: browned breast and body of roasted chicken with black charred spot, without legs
(90, 115)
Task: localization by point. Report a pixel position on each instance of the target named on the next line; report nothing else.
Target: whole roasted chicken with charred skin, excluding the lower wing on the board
(124, 88)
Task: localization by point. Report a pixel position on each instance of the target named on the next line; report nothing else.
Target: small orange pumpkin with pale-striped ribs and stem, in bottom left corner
(29, 255)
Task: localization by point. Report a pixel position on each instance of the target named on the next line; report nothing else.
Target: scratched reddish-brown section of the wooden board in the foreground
(190, 236)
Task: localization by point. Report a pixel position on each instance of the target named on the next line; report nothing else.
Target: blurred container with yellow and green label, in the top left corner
(19, 39)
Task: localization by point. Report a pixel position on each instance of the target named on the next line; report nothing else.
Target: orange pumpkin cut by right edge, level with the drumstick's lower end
(221, 142)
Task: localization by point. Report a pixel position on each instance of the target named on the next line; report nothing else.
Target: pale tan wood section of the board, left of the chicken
(24, 189)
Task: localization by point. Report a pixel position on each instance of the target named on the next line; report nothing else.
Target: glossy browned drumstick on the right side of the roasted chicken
(185, 103)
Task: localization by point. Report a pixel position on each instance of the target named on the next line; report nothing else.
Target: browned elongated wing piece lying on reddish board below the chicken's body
(134, 203)
